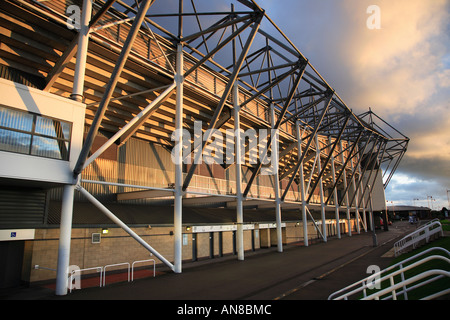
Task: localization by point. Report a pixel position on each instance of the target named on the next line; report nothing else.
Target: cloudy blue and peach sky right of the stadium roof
(401, 71)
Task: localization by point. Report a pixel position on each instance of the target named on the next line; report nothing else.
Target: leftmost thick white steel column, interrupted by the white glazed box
(69, 190)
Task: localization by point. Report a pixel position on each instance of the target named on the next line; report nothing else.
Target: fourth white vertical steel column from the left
(275, 156)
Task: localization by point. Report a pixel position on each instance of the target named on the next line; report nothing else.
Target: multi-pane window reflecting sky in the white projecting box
(32, 134)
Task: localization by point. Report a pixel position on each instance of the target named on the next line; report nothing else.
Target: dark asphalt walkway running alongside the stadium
(299, 272)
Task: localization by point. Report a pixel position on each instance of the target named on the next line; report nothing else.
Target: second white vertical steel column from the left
(178, 199)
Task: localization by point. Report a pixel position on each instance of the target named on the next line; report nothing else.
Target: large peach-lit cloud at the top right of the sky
(400, 67)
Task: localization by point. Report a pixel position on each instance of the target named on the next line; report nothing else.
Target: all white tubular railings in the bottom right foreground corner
(374, 280)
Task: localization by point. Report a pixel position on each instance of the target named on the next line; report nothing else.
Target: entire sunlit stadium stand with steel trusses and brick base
(126, 114)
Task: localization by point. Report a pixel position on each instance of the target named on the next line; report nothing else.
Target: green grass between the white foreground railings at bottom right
(430, 288)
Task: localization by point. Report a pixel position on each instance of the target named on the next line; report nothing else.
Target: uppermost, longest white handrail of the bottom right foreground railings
(365, 283)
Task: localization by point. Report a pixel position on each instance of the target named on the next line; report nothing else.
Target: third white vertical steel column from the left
(237, 148)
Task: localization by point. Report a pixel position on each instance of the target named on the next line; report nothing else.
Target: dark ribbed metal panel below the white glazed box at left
(22, 208)
